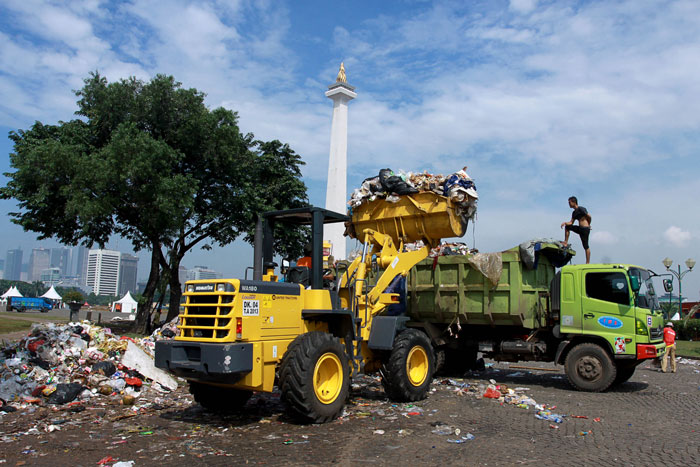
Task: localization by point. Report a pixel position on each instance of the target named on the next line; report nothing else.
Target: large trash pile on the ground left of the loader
(60, 364)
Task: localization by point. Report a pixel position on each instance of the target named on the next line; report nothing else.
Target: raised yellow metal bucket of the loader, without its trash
(422, 216)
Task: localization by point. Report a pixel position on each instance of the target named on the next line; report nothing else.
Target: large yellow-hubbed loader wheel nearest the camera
(314, 377)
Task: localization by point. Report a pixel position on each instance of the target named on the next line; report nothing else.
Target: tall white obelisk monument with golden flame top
(336, 191)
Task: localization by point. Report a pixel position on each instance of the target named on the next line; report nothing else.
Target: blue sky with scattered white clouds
(541, 100)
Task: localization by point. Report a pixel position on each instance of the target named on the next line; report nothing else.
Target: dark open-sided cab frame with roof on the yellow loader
(312, 216)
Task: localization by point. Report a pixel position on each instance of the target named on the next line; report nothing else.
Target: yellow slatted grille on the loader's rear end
(207, 316)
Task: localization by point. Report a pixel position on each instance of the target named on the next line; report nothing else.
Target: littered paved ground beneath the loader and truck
(654, 419)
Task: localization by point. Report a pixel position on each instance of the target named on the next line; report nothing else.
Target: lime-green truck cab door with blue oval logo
(607, 310)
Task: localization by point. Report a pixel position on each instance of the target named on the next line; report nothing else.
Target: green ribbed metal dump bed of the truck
(439, 291)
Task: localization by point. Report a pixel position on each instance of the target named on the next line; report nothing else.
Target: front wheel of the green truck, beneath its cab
(589, 368)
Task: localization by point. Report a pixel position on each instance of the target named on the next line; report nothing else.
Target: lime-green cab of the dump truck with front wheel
(610, 306)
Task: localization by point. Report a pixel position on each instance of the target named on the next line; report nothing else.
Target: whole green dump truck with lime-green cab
(599, 320)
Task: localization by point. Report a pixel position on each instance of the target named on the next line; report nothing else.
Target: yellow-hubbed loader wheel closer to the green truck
(408, 372)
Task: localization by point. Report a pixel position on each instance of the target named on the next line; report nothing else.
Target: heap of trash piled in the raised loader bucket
(459, 187)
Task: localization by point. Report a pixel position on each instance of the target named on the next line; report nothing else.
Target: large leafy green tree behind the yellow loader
(150, 162)
